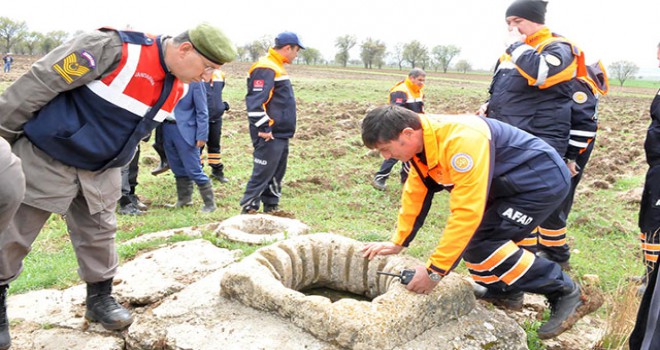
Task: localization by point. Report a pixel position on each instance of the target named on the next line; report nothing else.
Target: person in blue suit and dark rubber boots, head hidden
(184, 133)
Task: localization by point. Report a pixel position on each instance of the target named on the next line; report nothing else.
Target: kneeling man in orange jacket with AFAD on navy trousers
(494, 203)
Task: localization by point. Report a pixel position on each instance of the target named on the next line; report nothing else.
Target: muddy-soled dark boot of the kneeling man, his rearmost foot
(563, 312)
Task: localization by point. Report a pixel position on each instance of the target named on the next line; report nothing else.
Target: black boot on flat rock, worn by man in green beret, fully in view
(103, 308)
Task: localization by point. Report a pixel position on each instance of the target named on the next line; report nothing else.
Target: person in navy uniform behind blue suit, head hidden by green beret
(217, 108)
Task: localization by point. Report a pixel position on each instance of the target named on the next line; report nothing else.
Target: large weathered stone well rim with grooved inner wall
(270, 279)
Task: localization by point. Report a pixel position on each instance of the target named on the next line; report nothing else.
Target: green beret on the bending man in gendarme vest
(212, 43)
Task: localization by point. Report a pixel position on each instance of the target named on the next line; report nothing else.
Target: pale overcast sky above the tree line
(607, 30)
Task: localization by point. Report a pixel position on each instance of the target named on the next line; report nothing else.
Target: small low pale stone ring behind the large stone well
(260, 229)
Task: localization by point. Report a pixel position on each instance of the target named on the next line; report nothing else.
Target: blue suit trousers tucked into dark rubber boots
(183, 158)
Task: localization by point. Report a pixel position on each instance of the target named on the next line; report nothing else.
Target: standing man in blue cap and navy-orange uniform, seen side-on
(271, 108)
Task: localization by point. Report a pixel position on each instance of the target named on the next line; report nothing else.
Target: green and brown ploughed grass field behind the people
(327, 184)
